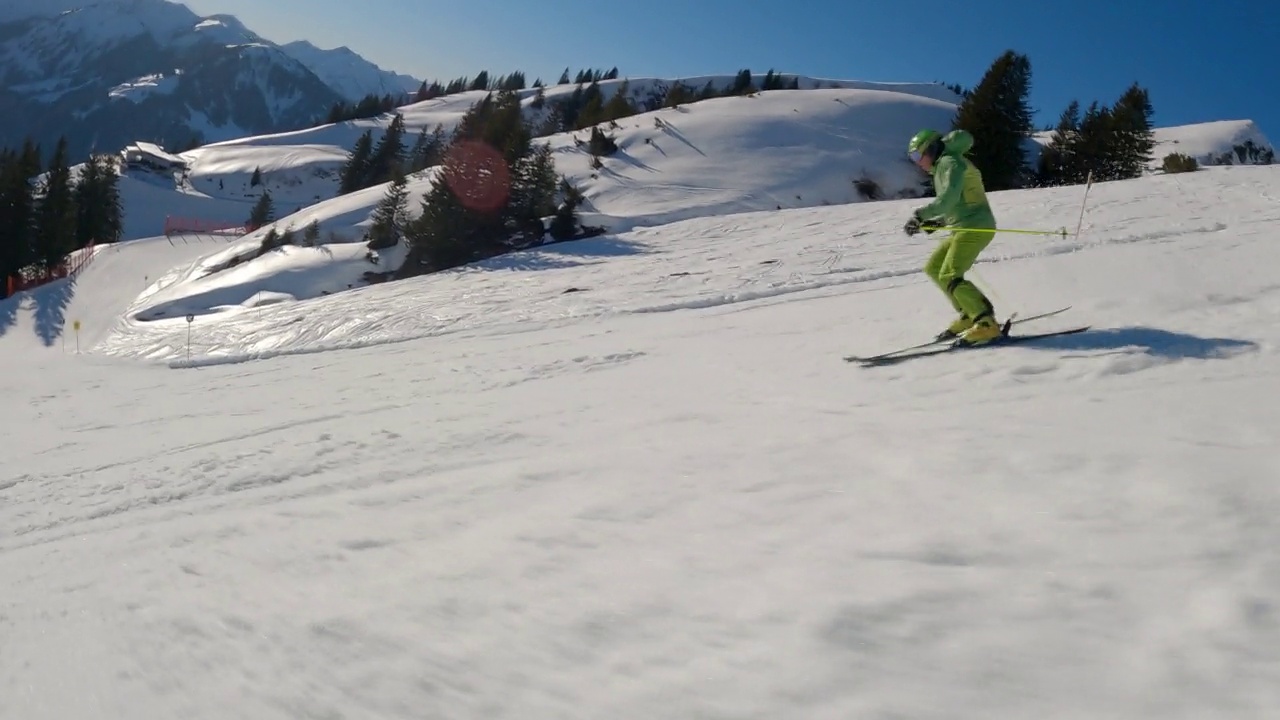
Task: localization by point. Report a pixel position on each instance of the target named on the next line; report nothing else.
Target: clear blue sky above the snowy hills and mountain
(1201, 61)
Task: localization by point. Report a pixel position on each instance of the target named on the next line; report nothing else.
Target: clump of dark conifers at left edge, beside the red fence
(48, 211)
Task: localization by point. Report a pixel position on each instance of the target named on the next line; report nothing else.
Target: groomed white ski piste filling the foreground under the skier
(632, 476)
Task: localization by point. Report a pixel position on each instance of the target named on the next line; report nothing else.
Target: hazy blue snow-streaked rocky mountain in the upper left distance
(111, 72)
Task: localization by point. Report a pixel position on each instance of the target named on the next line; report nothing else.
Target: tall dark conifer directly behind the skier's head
(1000, 120)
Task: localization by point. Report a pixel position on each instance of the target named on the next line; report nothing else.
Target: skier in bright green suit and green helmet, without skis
(961, 202)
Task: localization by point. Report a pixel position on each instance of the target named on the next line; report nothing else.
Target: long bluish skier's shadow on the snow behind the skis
(1149, 341)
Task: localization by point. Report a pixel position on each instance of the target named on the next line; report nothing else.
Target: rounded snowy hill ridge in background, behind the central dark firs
(776, 149)
